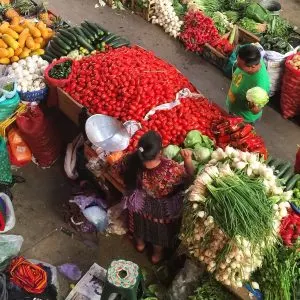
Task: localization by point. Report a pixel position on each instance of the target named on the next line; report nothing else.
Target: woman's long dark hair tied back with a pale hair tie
(149, 146)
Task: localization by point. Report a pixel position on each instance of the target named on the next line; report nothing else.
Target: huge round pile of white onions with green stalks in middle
(221, 228)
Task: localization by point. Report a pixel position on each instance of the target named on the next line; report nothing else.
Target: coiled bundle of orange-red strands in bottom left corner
(28, 276)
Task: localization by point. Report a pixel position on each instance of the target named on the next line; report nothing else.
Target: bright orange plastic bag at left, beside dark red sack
(20, 152)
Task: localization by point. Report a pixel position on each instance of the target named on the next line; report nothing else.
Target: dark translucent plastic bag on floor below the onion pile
(185, 281)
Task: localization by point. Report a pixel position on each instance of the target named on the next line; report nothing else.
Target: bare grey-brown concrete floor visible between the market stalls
(38, 201)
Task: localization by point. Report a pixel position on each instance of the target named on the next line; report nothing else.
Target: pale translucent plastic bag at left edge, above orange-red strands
(10, 246)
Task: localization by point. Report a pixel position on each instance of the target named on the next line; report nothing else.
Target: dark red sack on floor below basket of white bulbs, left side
(39, 134)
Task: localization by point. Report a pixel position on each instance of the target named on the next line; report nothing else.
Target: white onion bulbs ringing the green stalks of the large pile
(243, 257)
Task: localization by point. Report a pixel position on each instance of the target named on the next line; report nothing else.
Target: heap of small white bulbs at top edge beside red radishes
(164, 15)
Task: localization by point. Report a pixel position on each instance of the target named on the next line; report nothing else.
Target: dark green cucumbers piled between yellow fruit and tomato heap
(85, 38)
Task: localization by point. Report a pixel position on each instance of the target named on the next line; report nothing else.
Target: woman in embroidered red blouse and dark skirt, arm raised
(154, 195)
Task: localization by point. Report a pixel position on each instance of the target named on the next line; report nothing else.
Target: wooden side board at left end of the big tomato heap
(69, 106)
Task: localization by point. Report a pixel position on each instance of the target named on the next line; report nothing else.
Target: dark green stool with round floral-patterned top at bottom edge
(123, 278)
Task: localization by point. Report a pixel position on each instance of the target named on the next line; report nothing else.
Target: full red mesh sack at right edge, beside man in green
(290, 90)
